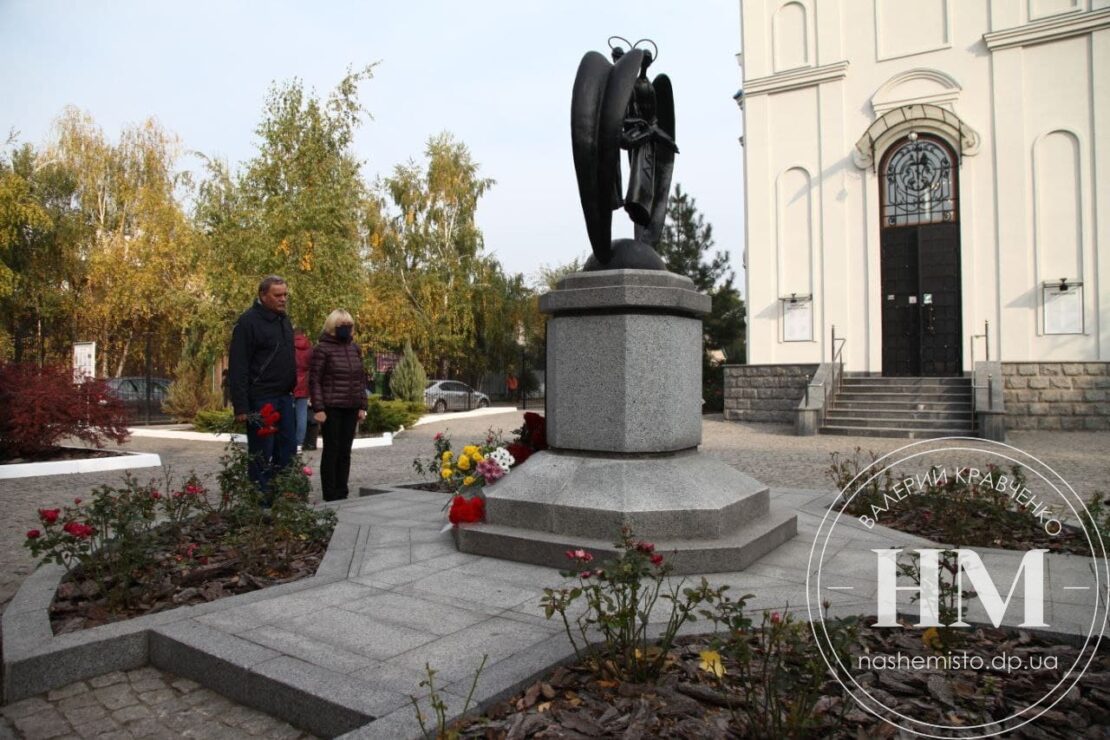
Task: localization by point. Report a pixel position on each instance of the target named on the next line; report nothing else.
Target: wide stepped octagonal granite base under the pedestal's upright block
(705, 515)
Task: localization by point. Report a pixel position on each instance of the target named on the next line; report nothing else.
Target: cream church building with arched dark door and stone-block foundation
(931, 178)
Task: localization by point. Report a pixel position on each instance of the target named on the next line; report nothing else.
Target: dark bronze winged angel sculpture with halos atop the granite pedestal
(615, 107)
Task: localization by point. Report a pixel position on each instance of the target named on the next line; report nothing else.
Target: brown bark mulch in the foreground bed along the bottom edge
(690, 702)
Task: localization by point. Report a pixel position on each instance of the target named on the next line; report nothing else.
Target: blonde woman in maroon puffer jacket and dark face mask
(338, 390)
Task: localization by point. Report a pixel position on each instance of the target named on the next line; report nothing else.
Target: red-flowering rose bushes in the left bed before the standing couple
(120, 538)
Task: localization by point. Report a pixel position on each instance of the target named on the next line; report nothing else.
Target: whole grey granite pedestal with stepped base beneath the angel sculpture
(624, 422)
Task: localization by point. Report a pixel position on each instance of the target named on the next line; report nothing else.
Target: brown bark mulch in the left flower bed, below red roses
(196, 569)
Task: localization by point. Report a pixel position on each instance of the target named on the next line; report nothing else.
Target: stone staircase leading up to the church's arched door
(914, 408)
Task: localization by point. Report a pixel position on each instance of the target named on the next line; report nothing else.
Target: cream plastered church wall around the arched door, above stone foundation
(819, 75)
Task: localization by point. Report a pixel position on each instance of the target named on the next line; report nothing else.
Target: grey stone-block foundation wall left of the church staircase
(765, 393)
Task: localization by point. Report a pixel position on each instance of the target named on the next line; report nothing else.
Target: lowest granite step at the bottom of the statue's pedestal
(733, 552)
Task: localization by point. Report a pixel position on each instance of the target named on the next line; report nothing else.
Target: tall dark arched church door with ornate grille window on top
(921, 261)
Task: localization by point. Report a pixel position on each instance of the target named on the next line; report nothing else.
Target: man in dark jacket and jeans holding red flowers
(263, 376)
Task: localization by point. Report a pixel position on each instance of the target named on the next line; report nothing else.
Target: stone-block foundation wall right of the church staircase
(1057, 396)
